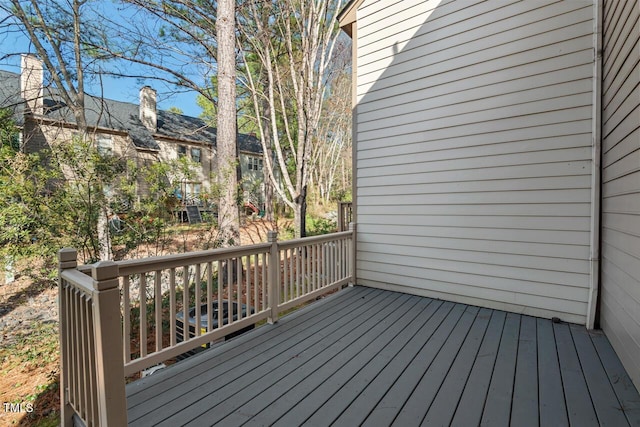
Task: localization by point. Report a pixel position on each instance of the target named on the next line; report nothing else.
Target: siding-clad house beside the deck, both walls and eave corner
(497, 156)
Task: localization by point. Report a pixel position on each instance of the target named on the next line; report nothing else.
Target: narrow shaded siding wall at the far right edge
(620, 289)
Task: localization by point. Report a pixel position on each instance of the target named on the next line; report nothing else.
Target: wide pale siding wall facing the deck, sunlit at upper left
(474, 139)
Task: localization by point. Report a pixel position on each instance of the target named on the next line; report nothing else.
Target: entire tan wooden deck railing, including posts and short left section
(123, 317)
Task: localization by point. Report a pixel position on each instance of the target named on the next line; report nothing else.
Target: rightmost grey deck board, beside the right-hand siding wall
(621, 382)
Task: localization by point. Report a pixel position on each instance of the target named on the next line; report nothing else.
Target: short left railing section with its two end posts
(92, 373)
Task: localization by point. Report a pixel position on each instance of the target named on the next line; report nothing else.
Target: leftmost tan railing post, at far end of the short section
(67, 259)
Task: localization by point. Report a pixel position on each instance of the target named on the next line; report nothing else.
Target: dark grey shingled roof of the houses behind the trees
(119, 116)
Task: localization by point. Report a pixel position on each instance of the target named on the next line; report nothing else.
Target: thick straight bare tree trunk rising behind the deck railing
(228, 210)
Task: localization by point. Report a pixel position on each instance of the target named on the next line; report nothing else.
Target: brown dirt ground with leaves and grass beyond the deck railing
(29, 353)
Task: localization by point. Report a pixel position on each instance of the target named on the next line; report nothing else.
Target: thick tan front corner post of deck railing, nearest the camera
(110, 378)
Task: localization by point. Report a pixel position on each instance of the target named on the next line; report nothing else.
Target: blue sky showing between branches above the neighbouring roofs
(119, 89)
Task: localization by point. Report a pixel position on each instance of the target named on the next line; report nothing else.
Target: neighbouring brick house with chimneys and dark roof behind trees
(140, 132)
